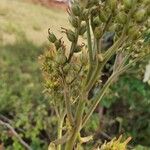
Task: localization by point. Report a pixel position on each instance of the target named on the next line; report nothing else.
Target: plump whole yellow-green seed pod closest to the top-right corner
(140, 15)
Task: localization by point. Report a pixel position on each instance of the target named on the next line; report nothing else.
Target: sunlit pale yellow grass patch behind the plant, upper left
(20, 17)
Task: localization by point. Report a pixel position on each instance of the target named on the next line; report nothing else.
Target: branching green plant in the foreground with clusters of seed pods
(70, 78)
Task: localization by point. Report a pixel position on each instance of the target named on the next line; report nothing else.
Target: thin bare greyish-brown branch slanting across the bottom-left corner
(15, 134)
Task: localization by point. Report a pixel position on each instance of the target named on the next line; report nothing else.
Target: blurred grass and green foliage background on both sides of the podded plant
(23, 37)
